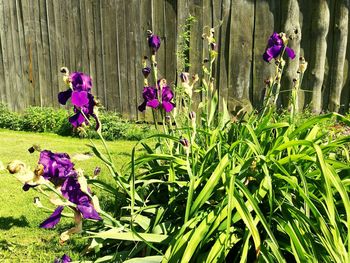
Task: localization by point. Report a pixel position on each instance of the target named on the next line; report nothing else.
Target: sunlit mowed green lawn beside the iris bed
(21, 240)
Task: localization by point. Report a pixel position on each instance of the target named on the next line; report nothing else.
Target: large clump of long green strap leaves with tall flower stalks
(212, 187)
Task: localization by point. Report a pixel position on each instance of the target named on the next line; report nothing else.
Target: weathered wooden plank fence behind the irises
(107, 39)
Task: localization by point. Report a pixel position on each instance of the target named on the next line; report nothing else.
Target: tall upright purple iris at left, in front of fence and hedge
(81, 98)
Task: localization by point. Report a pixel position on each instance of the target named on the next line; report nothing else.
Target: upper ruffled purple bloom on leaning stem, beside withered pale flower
(56, 166)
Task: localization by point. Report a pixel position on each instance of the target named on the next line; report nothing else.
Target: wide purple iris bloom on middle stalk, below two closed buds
(150, 97)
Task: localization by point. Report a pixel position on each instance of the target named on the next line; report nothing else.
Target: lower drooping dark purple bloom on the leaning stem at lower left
(72, 191)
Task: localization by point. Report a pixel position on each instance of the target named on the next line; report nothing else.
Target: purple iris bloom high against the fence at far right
(275, 47)
